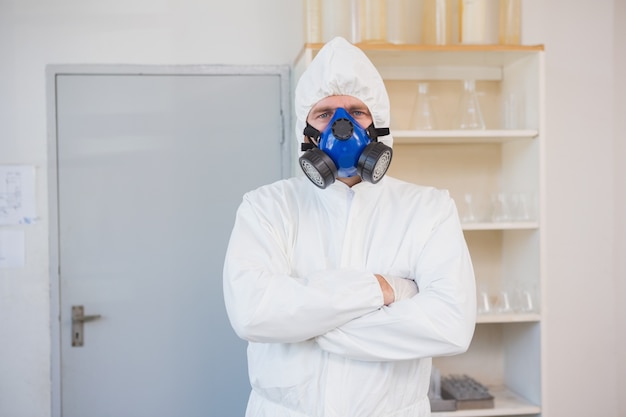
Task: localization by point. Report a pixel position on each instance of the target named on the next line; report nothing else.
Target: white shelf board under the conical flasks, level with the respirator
(462, 136)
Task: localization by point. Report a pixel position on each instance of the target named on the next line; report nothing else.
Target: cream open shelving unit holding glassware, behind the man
(505, 354)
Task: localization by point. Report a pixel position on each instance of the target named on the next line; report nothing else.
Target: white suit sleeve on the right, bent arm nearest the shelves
(437, 321)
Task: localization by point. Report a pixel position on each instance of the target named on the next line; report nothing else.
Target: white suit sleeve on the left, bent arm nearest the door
(266, 304)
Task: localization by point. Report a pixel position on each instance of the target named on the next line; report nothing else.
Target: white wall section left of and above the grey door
(34, 33)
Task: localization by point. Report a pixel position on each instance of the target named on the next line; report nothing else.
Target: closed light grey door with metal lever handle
(149, 172)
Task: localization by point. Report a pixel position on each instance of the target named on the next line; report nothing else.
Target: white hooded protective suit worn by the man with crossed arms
(299, 280)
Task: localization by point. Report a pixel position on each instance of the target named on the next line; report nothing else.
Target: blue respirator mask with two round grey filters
(344, 149)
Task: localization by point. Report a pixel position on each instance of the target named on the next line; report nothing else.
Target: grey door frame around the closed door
(55, 70)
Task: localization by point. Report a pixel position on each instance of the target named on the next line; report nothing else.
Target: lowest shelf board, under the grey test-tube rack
(507, 403)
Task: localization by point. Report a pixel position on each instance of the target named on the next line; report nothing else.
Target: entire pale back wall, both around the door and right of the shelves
(585, 163)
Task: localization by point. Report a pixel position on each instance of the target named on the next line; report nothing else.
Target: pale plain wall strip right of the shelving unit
(581, 291)
